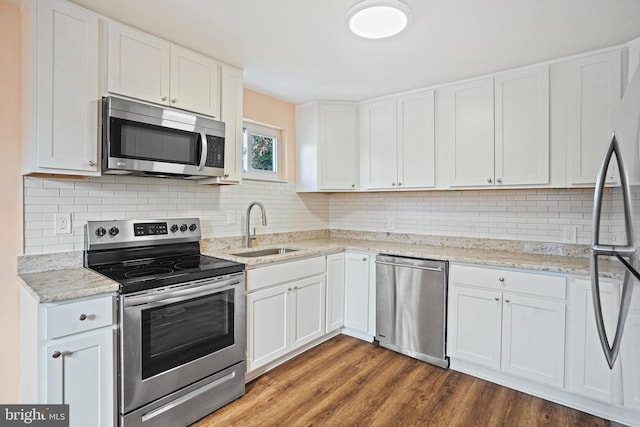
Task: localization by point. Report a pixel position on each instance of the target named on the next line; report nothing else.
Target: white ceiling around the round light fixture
(301, 50)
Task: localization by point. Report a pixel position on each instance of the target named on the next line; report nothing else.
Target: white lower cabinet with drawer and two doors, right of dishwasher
(505, 320)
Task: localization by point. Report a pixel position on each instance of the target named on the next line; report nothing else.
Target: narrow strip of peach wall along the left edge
(11, 192)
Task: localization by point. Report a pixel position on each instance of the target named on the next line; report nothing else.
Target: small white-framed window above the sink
(260, 152)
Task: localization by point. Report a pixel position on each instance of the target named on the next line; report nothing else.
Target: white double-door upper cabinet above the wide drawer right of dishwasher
(497, 129)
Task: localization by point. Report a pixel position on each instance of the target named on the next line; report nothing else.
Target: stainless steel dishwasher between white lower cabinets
(411, 307)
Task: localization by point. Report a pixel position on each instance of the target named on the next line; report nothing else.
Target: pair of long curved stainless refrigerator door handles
(611, 351)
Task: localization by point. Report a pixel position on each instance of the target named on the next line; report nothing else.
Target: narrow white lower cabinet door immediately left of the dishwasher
(360, 299)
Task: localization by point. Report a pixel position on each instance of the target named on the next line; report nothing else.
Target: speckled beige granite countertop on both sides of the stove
(66, 279)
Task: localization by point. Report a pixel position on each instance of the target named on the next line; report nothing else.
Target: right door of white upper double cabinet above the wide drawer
(522, 127)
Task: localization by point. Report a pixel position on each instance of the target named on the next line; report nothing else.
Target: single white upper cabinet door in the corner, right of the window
(337, 147)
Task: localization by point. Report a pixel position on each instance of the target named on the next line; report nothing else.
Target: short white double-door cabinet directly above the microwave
(142, 66)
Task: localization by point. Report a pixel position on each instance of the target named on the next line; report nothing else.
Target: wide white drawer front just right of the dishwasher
(508, 280)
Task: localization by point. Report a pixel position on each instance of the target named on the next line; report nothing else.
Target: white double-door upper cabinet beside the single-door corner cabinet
(398, 142)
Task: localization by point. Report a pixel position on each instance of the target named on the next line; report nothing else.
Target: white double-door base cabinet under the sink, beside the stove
(287, 314)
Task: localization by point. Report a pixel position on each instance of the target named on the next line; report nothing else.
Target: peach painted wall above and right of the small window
(265, 109)
